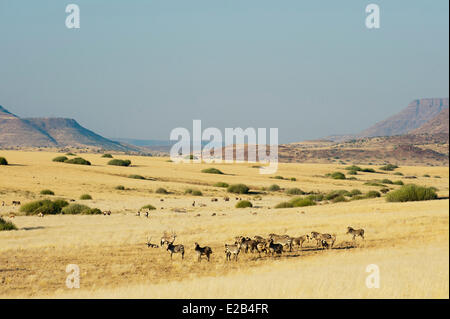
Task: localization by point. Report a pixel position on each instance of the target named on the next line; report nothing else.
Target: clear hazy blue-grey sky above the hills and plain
(138, 69)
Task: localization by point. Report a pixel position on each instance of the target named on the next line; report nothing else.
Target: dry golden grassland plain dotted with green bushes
(408, 241)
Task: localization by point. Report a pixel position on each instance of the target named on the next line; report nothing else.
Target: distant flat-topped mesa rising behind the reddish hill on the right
(412, 117)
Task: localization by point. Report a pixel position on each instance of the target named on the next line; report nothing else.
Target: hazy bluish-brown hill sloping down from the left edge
(52, 132)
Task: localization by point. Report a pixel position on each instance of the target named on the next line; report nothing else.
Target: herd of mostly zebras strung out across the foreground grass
(273, 245)
